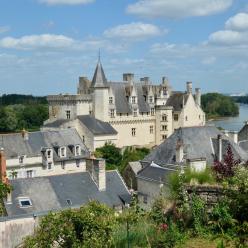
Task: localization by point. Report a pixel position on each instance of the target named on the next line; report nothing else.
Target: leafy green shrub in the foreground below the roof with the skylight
(90, 226)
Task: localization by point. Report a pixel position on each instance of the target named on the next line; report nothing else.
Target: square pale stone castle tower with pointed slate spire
(100, 93)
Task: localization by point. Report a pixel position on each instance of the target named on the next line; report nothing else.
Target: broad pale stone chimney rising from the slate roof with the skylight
(96, 168)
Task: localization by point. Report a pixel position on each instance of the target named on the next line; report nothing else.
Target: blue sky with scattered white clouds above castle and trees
(45, 45)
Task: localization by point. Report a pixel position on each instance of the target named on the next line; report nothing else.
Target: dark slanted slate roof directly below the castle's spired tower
(97, 127)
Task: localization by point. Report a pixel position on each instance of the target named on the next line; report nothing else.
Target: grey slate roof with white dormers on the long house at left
(14, 144)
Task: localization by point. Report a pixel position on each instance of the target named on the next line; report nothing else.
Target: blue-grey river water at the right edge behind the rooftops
(232, 123)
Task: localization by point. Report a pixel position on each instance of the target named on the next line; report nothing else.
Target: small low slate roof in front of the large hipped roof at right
(155, 173)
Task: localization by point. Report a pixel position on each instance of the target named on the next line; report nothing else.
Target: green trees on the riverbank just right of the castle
(216, 105)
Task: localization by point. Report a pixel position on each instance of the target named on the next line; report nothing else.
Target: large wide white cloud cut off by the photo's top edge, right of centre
(178, 8)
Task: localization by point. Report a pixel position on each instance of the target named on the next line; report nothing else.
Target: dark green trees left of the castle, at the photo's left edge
(19, 112)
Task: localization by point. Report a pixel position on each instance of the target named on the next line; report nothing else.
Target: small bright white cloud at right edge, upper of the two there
(238, 22)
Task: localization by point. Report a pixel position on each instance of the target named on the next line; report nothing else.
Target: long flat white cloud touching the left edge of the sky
(37, 41)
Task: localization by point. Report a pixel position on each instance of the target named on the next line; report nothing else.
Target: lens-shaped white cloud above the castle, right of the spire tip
(135, 30)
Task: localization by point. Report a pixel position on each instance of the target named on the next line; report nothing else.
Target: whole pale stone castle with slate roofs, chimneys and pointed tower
(126, 113)
